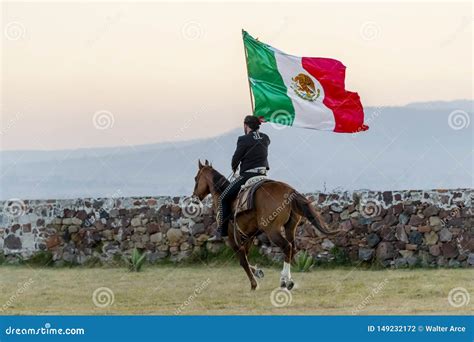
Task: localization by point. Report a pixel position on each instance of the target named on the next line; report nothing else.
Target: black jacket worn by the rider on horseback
(251, 151)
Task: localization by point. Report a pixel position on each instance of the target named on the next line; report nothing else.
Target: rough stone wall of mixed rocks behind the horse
(392, 228)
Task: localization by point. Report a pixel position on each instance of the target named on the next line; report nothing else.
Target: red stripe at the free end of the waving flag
(346, 106)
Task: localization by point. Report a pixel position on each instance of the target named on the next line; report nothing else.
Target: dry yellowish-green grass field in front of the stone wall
(219, 290)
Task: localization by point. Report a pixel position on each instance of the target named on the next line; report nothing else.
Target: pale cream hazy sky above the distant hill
(152, 72)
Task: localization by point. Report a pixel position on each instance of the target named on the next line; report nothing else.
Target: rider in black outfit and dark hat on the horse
(251, 153)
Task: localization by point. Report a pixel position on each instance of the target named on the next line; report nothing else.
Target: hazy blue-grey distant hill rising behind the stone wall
(405, 148)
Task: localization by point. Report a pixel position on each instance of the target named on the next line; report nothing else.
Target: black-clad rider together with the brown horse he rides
(276, 209)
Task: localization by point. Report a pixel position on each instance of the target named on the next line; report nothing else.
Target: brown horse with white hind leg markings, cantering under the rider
(276, 205)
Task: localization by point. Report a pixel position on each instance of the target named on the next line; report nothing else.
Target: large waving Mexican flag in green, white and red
(303, 92)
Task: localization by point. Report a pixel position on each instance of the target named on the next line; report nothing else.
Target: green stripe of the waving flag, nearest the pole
(269, 91)
